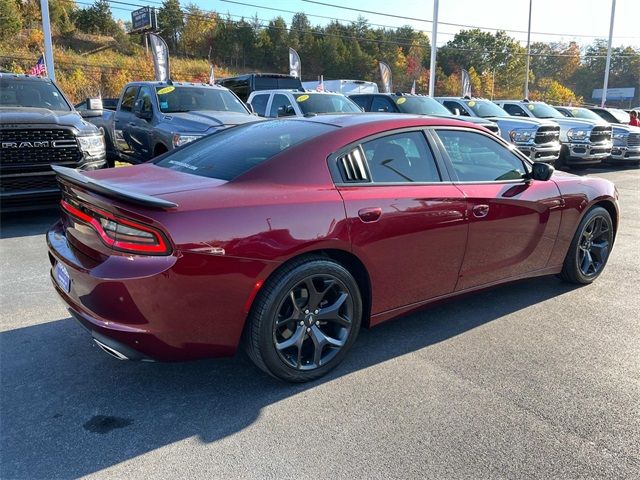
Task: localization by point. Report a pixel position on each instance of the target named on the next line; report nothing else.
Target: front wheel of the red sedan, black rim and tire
(590, 248)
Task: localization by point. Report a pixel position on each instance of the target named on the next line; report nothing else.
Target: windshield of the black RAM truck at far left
(20, 92)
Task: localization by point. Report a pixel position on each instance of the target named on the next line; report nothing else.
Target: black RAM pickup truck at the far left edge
(40, 128)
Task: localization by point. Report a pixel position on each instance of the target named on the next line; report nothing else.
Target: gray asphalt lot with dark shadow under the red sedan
(533, 380)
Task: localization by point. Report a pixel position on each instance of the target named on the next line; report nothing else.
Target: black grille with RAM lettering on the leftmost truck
(38, 147)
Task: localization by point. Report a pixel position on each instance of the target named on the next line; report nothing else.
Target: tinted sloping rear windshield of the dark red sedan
(230, 153)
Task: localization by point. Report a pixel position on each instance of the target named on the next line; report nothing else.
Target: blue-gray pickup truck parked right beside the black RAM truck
(155, 117)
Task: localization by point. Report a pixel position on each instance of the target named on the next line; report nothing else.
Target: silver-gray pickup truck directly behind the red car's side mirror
(537, 139)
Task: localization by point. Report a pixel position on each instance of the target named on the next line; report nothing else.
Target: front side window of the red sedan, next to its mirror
(478, 158)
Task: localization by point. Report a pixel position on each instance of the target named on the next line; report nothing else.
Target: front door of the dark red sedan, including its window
(513, 221)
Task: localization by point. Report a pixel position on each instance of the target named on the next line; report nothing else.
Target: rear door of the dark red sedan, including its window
(406, 219)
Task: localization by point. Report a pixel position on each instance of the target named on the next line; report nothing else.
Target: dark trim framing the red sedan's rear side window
(339, 181)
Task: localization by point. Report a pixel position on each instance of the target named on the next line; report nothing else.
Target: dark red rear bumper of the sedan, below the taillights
(166, 308)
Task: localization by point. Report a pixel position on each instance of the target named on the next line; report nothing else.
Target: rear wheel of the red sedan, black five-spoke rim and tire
(278, 318)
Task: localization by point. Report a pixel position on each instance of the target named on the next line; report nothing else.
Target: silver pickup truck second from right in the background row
(584, 142)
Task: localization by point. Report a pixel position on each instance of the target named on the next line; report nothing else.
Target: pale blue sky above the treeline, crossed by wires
(567, 20)
